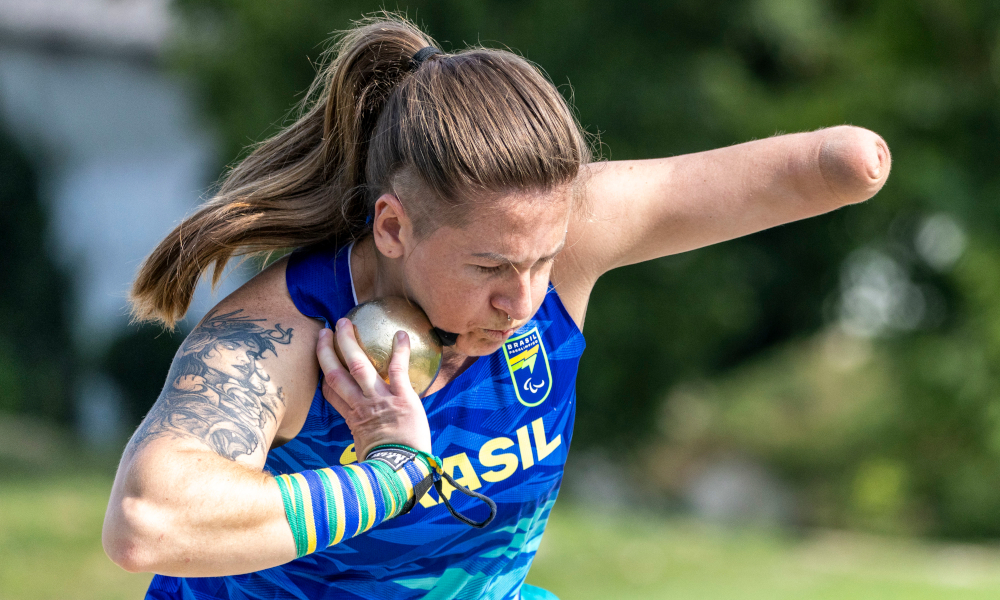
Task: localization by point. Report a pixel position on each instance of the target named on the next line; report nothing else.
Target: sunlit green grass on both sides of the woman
(50, 549)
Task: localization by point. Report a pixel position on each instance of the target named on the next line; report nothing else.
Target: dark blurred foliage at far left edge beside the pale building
(35, 346)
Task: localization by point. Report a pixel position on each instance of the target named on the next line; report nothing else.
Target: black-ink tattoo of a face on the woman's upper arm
(216, 391)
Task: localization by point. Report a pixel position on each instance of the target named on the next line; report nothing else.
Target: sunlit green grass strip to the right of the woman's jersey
(586, 554)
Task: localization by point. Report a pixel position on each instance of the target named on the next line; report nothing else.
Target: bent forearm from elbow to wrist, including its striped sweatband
(190, 515)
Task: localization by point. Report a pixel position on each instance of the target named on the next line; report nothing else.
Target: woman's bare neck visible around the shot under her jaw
(377, 276)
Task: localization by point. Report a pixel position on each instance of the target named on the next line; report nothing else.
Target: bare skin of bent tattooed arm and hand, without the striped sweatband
(190, 497)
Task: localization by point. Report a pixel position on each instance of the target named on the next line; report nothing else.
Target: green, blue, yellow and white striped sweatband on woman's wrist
(327, 506)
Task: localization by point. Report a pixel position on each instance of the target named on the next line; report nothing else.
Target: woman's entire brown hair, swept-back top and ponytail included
(469, 125)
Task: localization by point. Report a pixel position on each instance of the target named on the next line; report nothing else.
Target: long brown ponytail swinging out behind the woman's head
(303, 186)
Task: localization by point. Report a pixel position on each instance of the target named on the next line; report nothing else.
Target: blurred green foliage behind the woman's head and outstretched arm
(907, 437)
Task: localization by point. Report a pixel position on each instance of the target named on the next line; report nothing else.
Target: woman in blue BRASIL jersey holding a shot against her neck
(463, 183)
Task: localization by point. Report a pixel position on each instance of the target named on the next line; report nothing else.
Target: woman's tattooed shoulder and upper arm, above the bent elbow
(242, 378)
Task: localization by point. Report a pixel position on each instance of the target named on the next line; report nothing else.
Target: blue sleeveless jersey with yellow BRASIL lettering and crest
(502, 428)
